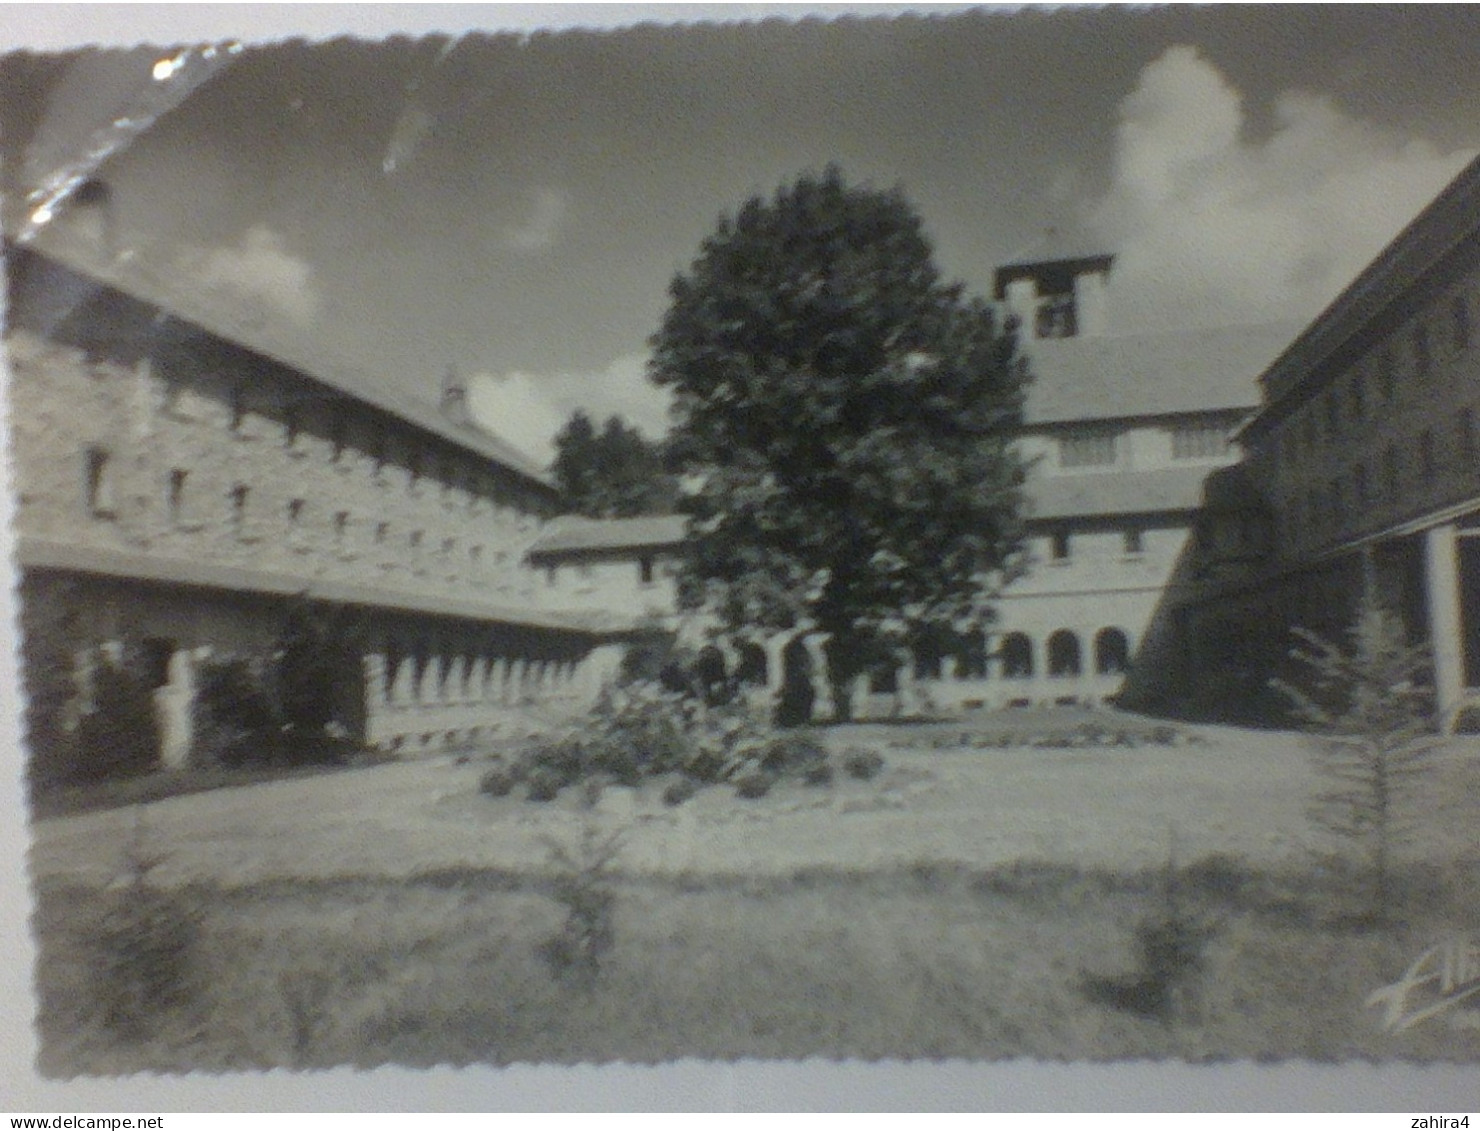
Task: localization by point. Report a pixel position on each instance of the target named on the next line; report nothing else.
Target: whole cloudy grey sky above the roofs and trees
(514, 205)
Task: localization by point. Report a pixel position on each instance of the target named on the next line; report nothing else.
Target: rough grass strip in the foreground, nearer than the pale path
(923, 961)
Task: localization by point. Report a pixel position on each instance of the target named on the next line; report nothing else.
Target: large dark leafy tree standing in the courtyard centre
(843, 420)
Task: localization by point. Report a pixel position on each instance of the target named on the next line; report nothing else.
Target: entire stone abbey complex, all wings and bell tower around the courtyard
(186, 485)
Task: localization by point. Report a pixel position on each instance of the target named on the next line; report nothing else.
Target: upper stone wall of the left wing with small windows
(175, 461)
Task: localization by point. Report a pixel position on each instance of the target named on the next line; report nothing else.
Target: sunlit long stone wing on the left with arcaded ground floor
(183, 489)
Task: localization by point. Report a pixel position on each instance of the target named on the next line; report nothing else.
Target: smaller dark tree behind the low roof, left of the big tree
(615, 473)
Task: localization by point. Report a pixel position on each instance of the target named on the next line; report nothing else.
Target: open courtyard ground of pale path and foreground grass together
(958, 905)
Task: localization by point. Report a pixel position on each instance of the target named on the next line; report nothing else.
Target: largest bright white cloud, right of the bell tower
(1214, 227)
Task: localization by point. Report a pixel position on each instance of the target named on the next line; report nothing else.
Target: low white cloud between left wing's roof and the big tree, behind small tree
(529, 409)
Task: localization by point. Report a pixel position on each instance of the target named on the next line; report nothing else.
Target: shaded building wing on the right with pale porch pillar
(1361, 473)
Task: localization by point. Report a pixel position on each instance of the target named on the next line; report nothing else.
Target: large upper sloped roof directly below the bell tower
(1078, 380)
